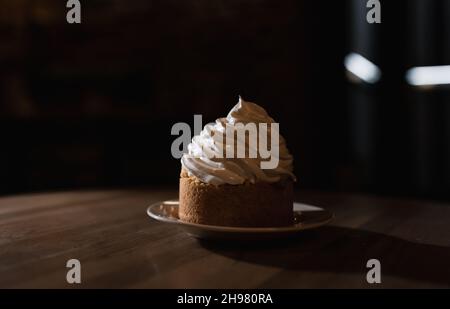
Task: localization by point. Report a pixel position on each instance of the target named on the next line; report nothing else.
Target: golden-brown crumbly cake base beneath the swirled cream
(247, 205)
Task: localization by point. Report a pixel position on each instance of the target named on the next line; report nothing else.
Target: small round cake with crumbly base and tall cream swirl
(216, 189)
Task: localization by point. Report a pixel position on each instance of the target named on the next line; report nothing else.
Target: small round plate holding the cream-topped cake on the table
(306, 217)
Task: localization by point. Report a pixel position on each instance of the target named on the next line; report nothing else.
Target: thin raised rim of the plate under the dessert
(231, 229)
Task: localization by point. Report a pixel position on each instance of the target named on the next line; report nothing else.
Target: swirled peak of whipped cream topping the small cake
(206, 159)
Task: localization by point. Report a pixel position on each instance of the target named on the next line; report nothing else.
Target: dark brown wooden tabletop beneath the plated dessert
(119, 246)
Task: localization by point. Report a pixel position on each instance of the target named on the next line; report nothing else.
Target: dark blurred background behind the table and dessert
(92, 105)
